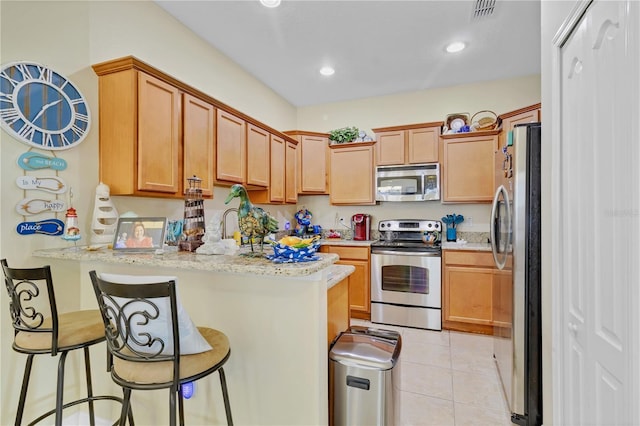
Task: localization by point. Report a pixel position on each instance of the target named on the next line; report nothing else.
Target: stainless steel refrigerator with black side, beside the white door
(515, 240)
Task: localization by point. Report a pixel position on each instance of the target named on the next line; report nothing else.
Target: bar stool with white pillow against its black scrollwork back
(153, 342)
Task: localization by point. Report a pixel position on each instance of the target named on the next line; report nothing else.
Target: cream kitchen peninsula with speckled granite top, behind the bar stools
(275, 316)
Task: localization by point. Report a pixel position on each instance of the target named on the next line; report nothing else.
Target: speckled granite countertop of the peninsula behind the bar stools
(186, 260)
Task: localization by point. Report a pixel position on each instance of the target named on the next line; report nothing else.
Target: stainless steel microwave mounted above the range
(416, 182)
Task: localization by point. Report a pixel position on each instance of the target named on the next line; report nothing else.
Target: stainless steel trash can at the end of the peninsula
(365, 373)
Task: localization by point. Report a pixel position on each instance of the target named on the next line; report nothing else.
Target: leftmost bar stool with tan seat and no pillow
(39, 329)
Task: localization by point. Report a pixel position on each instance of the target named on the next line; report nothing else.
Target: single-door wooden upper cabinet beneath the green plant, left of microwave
(352, 173)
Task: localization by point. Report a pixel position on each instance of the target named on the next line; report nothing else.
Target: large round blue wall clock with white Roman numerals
(42, 108)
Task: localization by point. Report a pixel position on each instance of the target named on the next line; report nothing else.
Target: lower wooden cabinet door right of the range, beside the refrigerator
(468, 295)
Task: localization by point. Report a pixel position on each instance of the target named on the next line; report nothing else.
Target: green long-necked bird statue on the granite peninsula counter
(253, 221)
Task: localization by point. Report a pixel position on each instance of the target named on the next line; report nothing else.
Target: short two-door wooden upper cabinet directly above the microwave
(411, 144)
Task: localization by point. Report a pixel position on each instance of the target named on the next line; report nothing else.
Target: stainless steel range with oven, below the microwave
(406, 274)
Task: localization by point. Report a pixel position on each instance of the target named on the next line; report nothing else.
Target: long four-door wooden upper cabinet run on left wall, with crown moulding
(156, 131)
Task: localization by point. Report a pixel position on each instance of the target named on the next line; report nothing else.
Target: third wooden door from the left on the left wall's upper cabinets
(231, 142)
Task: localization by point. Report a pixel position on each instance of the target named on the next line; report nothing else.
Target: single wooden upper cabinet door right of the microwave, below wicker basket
(468, 169)
